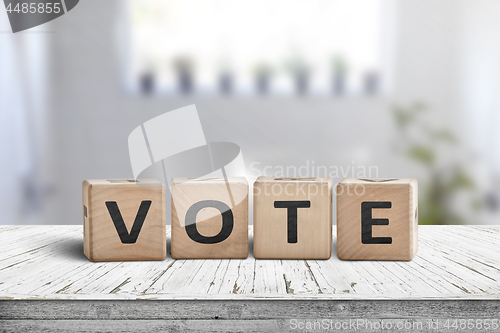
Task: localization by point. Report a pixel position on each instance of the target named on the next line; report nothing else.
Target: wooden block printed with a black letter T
(292, 218)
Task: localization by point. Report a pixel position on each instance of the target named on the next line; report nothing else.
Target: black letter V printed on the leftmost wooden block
(120, 226)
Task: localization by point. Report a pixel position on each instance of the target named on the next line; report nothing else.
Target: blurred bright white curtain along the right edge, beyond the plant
(479, 96)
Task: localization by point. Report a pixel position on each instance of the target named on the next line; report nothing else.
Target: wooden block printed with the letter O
(209, 218)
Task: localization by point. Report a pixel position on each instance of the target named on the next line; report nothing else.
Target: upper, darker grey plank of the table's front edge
(245, 309)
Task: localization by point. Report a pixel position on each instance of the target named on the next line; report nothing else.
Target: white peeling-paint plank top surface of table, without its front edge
(47, 263)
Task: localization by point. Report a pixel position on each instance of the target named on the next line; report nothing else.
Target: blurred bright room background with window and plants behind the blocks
(410, 88)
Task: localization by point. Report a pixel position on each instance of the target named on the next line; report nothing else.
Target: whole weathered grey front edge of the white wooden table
(235, 315)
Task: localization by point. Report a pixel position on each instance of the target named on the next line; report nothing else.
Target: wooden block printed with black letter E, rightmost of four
(377, 219)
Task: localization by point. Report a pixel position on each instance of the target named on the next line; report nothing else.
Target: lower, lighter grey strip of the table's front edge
(314, 324)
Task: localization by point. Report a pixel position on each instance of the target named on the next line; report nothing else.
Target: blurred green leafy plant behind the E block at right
(423, 144)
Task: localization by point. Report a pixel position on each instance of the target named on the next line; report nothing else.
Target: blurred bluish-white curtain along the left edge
(23, 115)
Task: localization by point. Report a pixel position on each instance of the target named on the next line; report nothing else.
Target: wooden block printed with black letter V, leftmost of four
(124, 220)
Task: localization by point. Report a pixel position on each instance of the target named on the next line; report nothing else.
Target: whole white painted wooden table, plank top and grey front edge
(455, 273)
